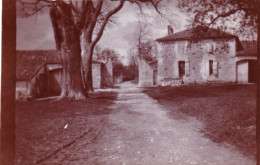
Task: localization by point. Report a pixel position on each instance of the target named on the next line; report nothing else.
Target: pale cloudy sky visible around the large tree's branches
(35, 32)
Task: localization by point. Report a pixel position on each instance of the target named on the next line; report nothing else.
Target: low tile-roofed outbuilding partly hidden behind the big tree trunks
(38, 73)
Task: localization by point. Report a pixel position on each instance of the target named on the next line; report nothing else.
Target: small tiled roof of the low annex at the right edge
(249, 48)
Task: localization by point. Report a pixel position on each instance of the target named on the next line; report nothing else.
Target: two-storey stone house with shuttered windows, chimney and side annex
(200, 55)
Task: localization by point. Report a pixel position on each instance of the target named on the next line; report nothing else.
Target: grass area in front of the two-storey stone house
(228, 111)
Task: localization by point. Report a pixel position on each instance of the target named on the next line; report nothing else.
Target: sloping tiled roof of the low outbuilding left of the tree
(29, 62)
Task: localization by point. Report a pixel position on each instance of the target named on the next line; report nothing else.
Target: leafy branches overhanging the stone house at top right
(240, 16)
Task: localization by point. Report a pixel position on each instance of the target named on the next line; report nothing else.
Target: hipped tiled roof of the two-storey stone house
(197, 33)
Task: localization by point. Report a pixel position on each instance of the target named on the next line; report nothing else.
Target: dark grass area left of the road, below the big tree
(45, 126)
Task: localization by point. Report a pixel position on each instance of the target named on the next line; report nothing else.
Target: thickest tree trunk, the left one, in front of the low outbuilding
(67, 39)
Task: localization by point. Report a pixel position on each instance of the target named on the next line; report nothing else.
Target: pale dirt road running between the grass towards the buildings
(140, 132)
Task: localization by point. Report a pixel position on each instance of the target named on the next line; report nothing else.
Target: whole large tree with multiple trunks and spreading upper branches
(78, 26)
